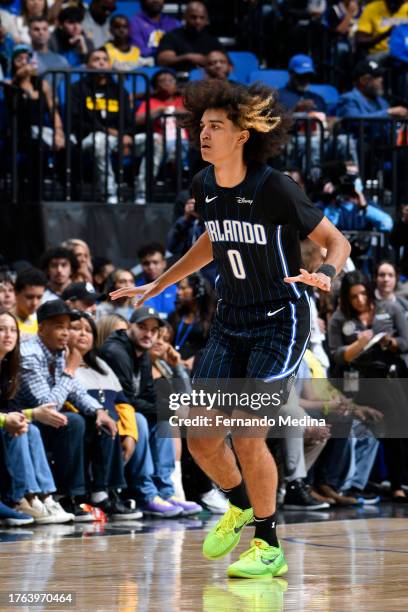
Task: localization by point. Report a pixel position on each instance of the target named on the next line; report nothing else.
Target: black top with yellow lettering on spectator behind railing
(95, 108)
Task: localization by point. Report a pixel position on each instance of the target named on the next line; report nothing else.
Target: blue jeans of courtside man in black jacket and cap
(148, 471)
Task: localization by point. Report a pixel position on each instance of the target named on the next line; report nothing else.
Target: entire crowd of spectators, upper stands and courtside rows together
(78, 373)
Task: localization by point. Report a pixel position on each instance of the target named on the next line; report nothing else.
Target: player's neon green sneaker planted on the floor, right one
(259, 561)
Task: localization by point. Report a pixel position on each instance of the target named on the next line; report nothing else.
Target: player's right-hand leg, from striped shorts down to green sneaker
(275, 357)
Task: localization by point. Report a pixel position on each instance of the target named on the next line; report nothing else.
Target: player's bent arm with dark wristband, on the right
(338, 248)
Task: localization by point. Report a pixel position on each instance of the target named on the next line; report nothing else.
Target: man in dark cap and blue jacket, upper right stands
(366, 98)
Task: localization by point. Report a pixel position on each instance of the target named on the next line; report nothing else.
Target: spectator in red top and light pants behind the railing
(165, 100)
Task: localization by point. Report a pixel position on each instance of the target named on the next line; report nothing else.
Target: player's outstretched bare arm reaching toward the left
(196, 258)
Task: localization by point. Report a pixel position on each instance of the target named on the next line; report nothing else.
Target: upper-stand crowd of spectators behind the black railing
(361, 51)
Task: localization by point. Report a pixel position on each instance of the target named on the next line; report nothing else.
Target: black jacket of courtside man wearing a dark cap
(134, 373)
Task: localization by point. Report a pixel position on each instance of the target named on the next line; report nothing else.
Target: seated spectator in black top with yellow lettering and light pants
(96, 126)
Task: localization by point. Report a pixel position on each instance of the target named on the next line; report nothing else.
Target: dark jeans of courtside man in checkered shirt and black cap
(67, 447)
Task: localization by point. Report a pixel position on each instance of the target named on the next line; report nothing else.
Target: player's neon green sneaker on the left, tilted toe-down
(226, 534)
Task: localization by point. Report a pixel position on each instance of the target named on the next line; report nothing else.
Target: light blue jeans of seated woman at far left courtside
(27, 464)
